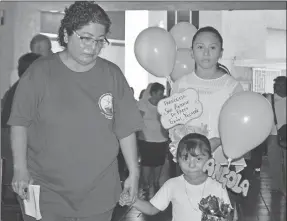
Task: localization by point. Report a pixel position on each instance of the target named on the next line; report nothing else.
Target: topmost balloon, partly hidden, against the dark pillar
(183, 33)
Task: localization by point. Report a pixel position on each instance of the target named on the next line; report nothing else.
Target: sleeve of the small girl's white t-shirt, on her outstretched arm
(162, 198)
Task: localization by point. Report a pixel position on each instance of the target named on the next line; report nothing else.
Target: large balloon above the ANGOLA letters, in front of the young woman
(245, 121)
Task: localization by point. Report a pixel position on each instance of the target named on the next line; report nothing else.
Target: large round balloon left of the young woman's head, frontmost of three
(155, 50)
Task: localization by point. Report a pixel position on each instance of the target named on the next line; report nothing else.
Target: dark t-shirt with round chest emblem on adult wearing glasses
(74, 122)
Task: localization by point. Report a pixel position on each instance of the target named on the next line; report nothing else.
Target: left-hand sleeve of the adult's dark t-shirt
(27, 96)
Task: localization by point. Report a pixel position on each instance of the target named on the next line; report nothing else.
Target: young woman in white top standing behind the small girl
(214, 87)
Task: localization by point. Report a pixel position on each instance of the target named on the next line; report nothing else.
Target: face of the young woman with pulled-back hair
(207, 50)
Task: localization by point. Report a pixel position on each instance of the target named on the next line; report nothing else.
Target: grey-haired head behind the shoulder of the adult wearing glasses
(41, 44)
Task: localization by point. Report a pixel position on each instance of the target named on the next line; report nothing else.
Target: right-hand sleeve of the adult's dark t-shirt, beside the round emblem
(127, 117)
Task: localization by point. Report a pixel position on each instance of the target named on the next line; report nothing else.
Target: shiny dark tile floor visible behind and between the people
(260, 204)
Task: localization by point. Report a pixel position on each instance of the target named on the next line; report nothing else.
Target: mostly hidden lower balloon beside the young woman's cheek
(184, 64)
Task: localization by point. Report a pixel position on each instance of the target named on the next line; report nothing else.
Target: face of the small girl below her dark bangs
(192, 166)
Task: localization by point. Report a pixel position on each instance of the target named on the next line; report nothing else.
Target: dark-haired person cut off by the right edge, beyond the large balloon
(277, 154)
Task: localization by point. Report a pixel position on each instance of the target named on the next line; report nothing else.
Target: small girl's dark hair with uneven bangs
(191, 142)
